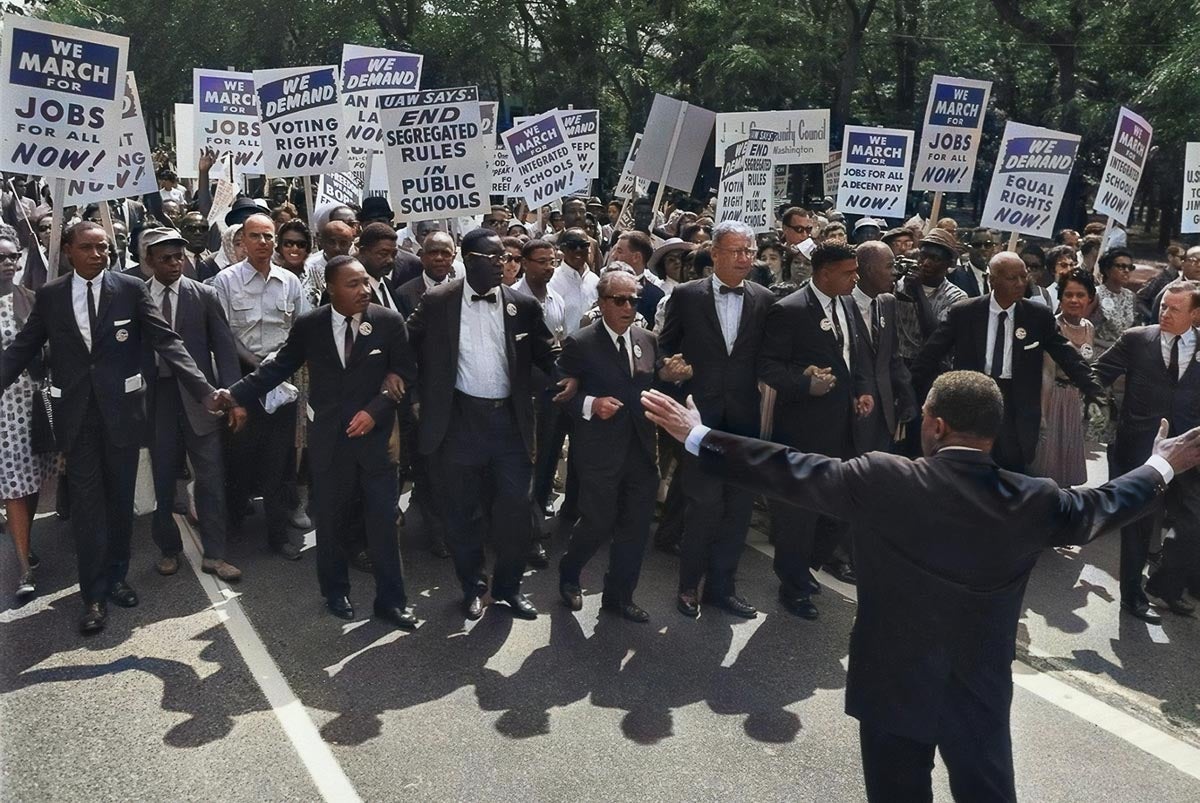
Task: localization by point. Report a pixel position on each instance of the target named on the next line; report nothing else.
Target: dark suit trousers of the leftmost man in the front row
(103, 480)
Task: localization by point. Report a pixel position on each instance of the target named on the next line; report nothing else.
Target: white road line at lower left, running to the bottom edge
(327, 775)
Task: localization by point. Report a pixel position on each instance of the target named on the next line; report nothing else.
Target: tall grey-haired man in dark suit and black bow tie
(715, 328)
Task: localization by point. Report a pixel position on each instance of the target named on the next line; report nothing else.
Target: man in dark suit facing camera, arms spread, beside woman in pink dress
(1005, 335)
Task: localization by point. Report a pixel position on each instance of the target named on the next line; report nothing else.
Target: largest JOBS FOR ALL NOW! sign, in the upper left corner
(62, 91)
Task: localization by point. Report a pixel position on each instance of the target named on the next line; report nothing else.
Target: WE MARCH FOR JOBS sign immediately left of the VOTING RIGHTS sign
(226, 113)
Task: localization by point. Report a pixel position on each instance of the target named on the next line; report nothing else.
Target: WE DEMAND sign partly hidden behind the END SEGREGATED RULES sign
(369, 73)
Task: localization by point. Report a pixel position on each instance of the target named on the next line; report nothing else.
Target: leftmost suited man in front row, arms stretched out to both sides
(95, 322)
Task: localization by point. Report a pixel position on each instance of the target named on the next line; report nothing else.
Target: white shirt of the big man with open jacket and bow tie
(483, 362)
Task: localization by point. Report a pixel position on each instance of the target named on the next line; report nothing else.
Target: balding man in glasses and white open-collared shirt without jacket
(262, 302)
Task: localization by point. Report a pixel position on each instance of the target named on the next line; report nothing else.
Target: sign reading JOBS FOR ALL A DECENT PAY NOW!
(875, 172)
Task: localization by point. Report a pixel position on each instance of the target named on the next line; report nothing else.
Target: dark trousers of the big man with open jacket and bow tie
(484, 450)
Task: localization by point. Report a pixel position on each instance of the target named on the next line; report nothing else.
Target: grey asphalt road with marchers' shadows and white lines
(253, 693)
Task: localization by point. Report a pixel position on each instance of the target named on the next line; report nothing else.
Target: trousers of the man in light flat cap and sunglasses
(172, 436)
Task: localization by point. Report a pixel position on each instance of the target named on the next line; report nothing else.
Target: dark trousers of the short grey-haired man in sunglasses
(616, 506)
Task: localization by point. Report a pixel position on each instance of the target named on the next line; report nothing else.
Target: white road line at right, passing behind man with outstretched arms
(1071, 699)
